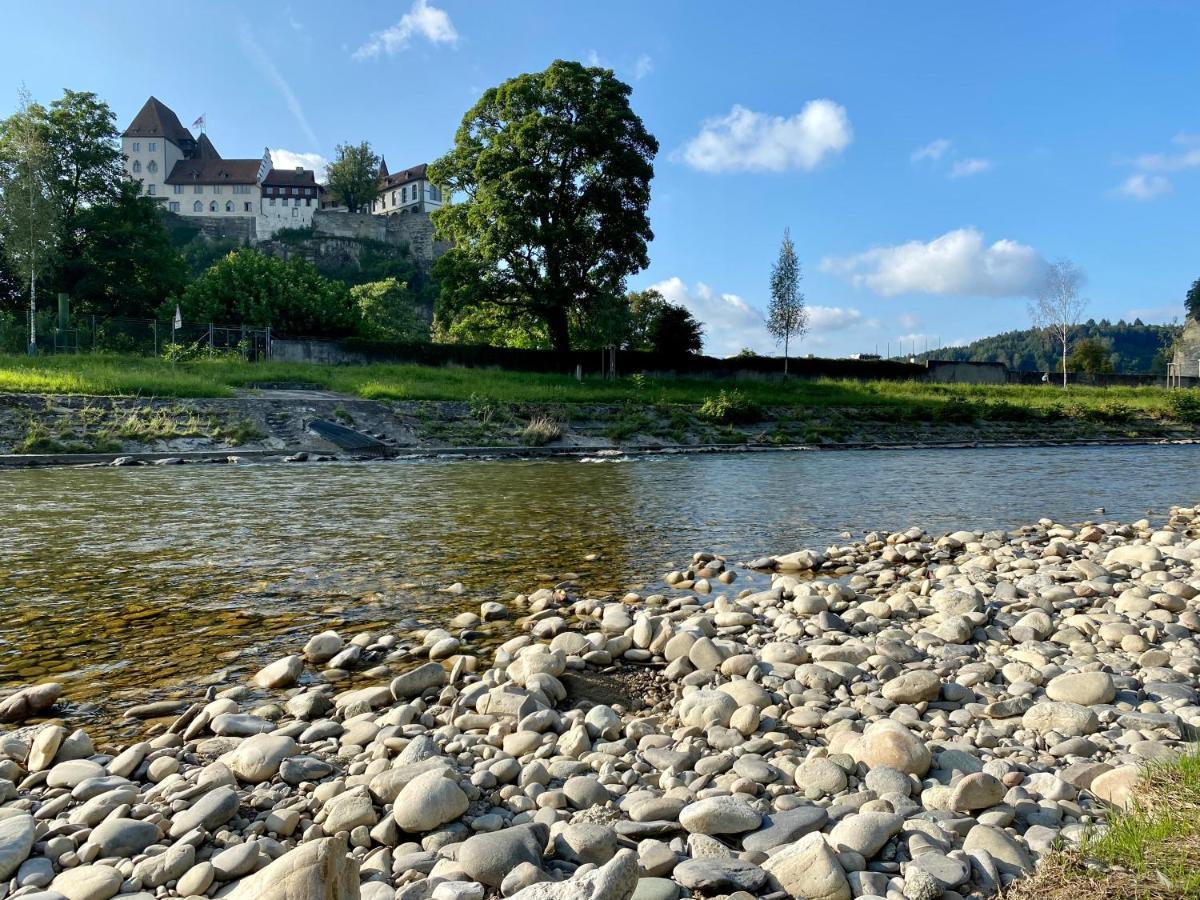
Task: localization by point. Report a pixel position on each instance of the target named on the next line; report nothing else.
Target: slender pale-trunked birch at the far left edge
(27, 207)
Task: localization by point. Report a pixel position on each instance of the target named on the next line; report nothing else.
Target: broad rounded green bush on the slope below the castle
(251, 289)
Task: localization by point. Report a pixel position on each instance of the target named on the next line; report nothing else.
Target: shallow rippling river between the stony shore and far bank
(131, 584)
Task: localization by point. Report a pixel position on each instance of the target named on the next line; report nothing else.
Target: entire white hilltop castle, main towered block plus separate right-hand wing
(191, 179)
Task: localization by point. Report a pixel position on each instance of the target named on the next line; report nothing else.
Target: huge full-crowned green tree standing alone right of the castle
(554, 175)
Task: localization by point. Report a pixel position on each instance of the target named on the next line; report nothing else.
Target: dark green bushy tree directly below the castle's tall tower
(127, 263)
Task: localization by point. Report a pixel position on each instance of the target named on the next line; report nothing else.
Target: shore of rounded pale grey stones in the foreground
(908, 717)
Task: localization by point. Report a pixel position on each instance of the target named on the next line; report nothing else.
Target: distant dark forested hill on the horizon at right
(1133, 347)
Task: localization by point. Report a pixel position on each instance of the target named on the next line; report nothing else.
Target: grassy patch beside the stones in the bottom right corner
(1147, 854)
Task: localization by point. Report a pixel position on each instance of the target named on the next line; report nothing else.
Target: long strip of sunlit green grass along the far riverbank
(139, 376)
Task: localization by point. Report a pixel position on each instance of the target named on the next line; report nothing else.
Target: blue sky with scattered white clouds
(929, 159)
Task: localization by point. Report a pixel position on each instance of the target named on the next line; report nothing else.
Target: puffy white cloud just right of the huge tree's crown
(746, 141)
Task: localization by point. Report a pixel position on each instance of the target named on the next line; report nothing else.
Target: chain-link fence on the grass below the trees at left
(145, 338)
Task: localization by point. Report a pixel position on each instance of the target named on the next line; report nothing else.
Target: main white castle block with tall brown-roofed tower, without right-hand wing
(190, 178)
